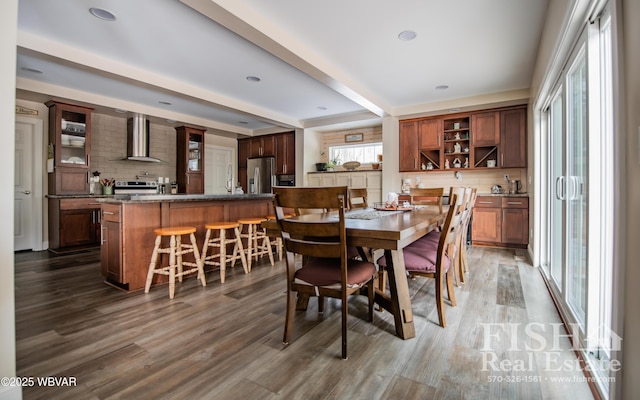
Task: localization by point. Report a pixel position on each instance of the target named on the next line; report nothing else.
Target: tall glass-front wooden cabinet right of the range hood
(190, 160)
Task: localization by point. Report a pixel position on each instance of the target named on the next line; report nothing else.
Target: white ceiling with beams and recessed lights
(322, 65)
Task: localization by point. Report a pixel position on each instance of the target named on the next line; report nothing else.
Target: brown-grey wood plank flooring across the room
(225, 341)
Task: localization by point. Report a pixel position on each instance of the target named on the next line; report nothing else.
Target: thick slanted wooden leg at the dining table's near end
(400, 301)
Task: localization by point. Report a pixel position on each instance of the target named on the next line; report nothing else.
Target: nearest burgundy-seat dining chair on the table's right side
(432, 256)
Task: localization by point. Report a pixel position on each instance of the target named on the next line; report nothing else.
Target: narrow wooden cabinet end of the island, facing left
(111, 244)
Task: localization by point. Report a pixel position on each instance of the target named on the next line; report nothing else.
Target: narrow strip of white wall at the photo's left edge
(8, 33)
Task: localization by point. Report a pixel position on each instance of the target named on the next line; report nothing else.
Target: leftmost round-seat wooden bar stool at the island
(175, 250)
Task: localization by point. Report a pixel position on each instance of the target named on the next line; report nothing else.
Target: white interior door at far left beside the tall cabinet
(23, 226)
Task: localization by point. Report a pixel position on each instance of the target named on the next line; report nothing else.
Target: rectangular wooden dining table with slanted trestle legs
(390, 231)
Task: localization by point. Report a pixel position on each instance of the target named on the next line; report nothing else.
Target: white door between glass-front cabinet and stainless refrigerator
(219, 167)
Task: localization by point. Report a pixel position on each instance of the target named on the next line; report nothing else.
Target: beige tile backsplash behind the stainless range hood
(109, 146)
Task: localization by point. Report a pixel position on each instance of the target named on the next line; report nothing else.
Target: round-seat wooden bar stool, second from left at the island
(221, 242)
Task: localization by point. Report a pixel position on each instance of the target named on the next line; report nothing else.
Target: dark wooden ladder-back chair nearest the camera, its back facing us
(322, 241)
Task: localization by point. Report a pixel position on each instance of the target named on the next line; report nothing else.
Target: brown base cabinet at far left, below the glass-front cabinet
(73, 223)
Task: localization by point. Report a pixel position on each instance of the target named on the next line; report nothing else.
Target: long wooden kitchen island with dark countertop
(128, 222)
